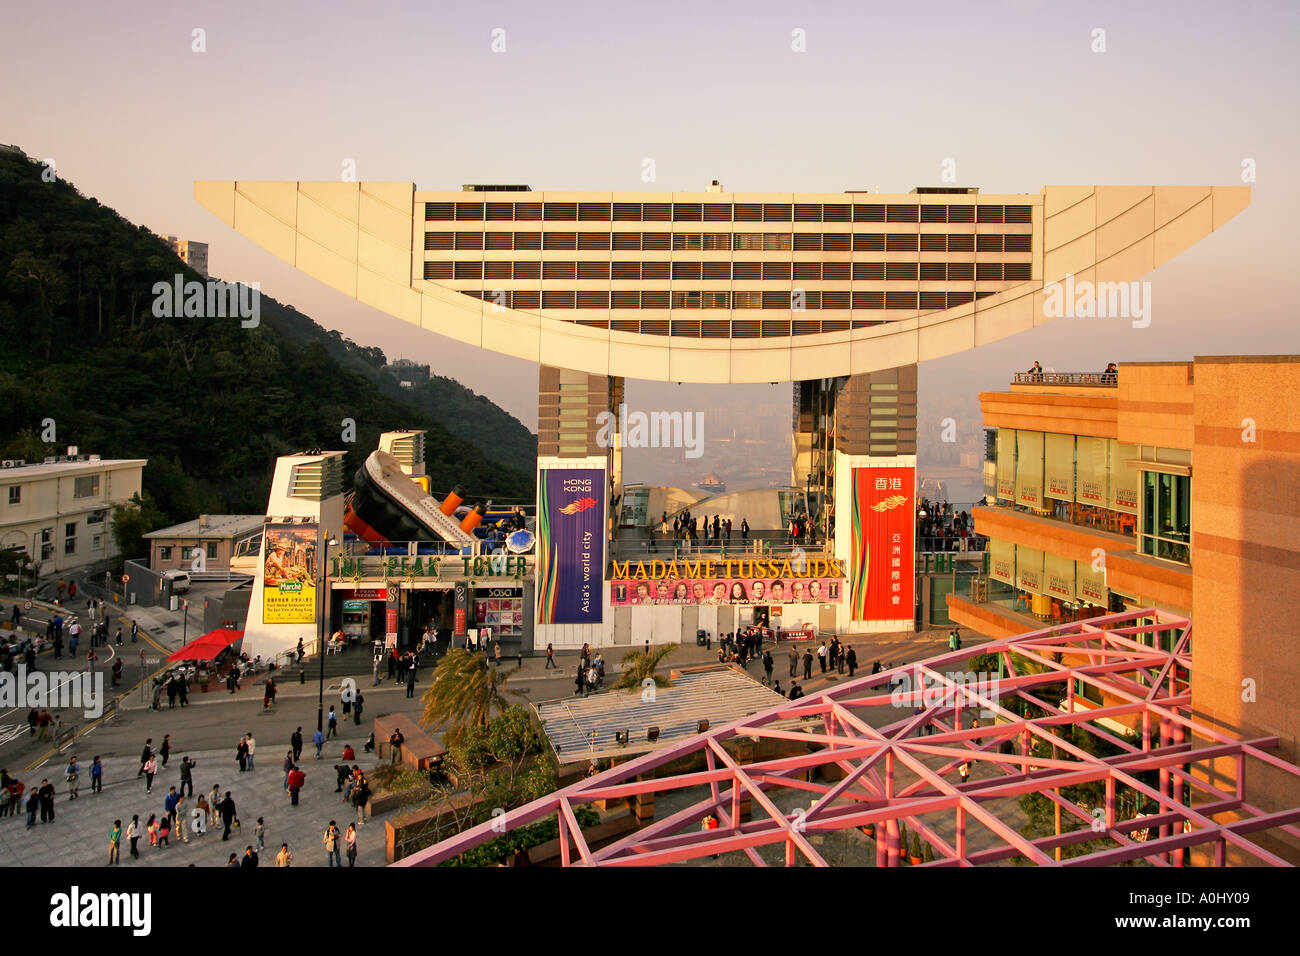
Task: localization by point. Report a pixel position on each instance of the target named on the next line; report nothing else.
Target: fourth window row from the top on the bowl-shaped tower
(798, 300)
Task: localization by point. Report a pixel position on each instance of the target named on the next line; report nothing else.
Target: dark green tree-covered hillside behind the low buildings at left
(209, 403)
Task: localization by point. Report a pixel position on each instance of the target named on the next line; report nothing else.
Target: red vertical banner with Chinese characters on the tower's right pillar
(885, 505)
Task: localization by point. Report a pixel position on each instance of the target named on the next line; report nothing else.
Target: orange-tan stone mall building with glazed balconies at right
(1171, 485)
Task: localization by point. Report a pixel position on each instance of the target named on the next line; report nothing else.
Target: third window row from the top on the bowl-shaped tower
(726, 271)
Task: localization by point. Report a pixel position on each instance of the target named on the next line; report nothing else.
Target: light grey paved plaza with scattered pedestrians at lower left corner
(79, 837)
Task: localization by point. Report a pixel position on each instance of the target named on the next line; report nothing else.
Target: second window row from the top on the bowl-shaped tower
(798, 243)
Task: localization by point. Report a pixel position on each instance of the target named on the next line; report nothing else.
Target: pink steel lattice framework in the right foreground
(908, 771)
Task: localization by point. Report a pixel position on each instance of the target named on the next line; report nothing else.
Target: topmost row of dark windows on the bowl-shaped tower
(726, 213)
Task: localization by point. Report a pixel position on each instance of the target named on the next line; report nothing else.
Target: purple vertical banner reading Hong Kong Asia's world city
(570, 546)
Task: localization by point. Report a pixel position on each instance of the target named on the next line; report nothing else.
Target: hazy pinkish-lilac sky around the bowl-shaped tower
(885, 93)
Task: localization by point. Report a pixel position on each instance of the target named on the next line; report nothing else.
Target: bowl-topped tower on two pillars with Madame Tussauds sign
(842, 295)
